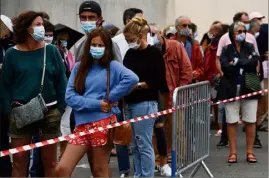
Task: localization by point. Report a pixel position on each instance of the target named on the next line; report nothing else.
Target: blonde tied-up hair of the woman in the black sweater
(137, 26)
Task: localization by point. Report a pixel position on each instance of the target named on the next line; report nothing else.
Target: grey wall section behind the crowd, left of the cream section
(65, 11)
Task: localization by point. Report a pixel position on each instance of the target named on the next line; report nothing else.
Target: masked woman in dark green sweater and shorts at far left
(21, 78)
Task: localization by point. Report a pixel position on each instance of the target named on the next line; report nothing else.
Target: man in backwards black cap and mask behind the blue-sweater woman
(90, 15)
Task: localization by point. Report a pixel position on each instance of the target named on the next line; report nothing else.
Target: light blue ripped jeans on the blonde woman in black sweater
(143, 152)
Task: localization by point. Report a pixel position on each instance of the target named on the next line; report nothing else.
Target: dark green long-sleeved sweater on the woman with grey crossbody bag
(22, 73)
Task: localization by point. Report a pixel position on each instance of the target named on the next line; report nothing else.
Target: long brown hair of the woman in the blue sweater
(87, 59)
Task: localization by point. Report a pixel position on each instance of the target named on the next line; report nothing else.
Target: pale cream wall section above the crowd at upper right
(204, 12)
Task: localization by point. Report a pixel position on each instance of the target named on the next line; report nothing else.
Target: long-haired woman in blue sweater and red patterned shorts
(86, 95)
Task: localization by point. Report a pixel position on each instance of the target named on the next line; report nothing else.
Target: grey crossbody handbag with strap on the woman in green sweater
(35, 109)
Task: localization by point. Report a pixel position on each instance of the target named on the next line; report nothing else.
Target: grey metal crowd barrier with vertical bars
(191, 128)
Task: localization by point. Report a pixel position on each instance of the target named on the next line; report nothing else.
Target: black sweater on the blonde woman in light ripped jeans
(148, 65)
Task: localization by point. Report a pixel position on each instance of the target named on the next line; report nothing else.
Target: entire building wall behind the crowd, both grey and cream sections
(163, 12)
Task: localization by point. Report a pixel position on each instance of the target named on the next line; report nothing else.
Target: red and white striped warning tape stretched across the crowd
(150, 116)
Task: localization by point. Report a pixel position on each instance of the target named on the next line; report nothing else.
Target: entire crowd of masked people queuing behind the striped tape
(118, 74)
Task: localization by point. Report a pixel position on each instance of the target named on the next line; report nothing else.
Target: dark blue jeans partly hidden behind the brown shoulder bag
(122, 151)
